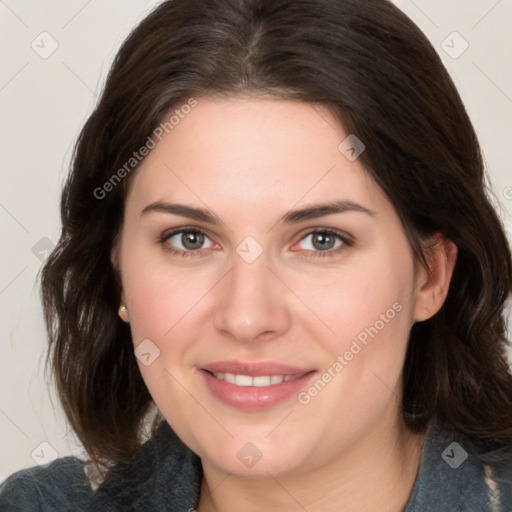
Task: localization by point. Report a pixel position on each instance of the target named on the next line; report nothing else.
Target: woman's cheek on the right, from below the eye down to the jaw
(368, 311)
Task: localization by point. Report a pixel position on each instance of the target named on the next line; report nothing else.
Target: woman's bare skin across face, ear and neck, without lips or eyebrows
(249, 160)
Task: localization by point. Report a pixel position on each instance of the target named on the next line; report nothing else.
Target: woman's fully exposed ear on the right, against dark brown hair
(431, 287)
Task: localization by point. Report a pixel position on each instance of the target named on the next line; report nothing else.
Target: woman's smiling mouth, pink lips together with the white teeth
(254, 387)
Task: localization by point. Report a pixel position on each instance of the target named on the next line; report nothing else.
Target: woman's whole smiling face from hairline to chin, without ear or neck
(270, 341)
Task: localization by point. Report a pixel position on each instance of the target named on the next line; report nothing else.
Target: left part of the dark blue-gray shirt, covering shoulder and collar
(162, 475)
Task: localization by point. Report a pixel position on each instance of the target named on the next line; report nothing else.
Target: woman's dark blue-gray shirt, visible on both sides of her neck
(164, 475)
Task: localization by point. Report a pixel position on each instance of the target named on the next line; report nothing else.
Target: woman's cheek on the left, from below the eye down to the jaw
(164, 306)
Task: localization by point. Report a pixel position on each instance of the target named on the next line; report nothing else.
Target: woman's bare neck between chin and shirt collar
(377, 474)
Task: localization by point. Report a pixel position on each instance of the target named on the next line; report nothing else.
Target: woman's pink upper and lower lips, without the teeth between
(253, 398)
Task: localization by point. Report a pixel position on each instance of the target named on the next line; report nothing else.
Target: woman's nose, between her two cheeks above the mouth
(253, 303)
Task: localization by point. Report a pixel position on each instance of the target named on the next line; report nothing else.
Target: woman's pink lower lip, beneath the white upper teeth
(252, 398)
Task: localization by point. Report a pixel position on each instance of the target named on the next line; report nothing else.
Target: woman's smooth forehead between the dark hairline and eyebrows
(253, 153)
